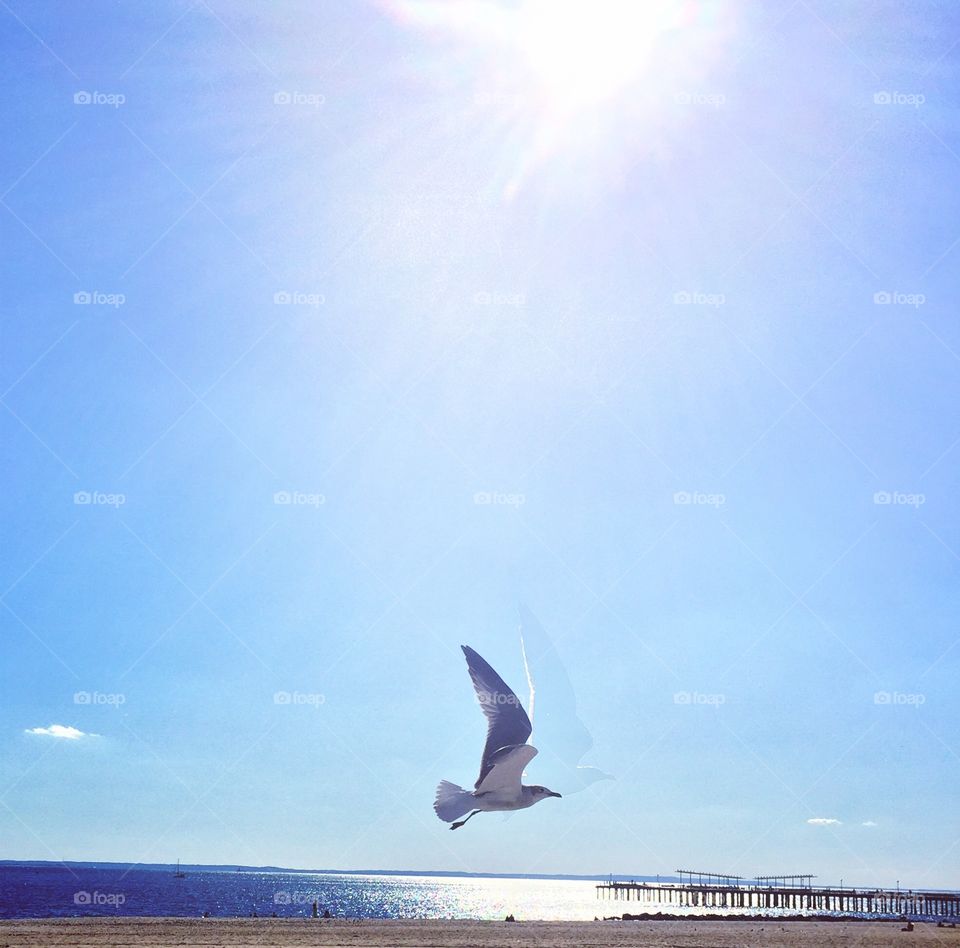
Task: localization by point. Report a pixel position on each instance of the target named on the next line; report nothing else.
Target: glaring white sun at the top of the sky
(570, 87)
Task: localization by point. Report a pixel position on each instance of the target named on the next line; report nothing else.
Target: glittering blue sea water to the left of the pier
(63, 891)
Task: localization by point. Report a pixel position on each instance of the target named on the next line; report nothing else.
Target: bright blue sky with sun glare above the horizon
(655, 336)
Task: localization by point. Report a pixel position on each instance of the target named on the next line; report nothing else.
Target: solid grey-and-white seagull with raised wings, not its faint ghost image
(505, 753)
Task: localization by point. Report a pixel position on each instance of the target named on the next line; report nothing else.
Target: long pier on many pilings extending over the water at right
(791, 893)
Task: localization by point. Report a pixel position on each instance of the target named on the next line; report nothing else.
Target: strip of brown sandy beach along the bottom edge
(232, 933)
